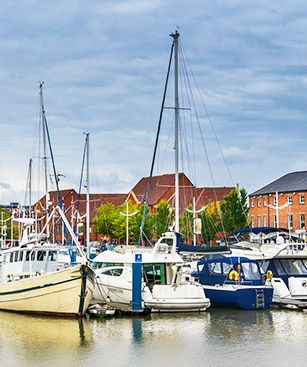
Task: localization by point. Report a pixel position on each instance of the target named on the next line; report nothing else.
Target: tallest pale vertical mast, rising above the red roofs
(176, 144)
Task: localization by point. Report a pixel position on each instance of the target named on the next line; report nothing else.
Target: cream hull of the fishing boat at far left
(66, 292)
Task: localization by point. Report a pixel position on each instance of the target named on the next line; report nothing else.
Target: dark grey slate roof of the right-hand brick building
(291, 182)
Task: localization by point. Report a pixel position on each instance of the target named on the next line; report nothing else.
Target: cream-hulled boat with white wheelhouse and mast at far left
(33, 281)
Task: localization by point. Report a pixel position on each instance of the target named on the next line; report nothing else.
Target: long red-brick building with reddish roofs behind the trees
(162, 188)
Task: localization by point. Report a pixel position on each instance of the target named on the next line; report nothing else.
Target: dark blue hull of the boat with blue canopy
(242, 298)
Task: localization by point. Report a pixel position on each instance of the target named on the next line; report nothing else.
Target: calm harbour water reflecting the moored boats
(215, 338)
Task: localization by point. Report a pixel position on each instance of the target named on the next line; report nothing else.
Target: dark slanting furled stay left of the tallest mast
(155, 148)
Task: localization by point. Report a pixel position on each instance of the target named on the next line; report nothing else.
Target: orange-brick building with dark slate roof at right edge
(291, 200)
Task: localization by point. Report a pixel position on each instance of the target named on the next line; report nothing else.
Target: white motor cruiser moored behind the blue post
(164, 288)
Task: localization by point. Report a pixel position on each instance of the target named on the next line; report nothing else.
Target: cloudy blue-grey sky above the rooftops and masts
(104, 66)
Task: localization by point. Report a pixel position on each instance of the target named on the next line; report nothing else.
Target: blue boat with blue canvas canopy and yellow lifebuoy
(235, 282)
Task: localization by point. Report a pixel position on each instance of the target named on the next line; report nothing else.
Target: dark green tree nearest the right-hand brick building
(234, 210)
